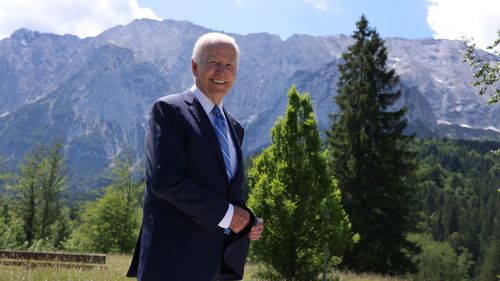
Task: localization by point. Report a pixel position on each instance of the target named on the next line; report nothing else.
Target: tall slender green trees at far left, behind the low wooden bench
(37, 205)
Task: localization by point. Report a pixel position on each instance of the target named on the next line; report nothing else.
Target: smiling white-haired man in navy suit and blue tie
(195, 225)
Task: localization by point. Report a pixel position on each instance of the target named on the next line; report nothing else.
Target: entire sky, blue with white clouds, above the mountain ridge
(447, 19)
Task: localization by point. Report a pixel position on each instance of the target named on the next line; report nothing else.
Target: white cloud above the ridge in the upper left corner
(79, 17)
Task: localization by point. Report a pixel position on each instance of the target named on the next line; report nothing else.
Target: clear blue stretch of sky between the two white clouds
(392, 18)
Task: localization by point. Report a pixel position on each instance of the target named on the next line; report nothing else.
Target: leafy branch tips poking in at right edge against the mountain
(487, 73)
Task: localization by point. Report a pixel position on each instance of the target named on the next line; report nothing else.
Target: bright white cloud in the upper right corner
(454, 19)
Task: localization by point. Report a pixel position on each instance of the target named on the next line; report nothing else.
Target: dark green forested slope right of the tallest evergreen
(457, 197)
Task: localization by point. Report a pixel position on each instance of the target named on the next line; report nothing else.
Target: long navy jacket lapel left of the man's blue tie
(206, 126)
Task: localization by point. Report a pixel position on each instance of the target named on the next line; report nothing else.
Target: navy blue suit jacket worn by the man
(186, 196)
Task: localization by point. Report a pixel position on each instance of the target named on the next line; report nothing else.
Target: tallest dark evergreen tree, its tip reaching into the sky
(371, 157)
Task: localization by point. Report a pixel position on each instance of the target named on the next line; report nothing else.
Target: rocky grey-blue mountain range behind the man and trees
(94, 94)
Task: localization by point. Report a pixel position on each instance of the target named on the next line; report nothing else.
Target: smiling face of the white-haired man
(216, 71)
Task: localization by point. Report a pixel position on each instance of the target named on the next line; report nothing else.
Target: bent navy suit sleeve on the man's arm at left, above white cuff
(167, 164)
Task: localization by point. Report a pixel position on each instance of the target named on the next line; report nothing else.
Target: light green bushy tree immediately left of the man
(111, 223)
